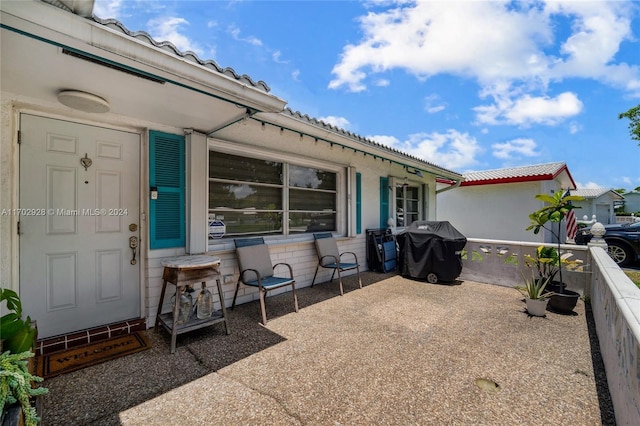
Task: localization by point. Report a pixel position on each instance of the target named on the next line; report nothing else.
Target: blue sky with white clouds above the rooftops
(467, 85)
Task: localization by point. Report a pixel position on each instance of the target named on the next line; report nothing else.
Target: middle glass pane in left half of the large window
(244, 196)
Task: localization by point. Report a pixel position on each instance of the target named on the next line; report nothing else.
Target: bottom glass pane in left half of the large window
(248, 223)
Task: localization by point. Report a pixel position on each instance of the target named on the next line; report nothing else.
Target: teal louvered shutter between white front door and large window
(166, 174)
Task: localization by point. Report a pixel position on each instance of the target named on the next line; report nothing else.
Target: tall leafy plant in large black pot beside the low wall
(556, 208)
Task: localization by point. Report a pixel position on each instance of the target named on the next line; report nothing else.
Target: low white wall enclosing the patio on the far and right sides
(615, 303)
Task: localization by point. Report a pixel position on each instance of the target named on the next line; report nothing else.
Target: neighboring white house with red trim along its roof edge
(496, 204)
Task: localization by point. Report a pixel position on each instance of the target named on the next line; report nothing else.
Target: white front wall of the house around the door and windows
(299, 251)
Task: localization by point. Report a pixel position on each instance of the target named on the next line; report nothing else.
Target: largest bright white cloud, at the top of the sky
(484, 40)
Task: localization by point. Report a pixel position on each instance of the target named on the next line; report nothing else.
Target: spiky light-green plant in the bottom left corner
(16, 384)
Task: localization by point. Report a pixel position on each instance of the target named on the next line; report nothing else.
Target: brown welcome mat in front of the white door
(73, 359)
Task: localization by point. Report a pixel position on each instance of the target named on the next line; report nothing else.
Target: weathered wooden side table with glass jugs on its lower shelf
(182, 271)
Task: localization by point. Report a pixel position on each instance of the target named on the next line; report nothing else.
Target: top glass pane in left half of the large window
(233, 167)
